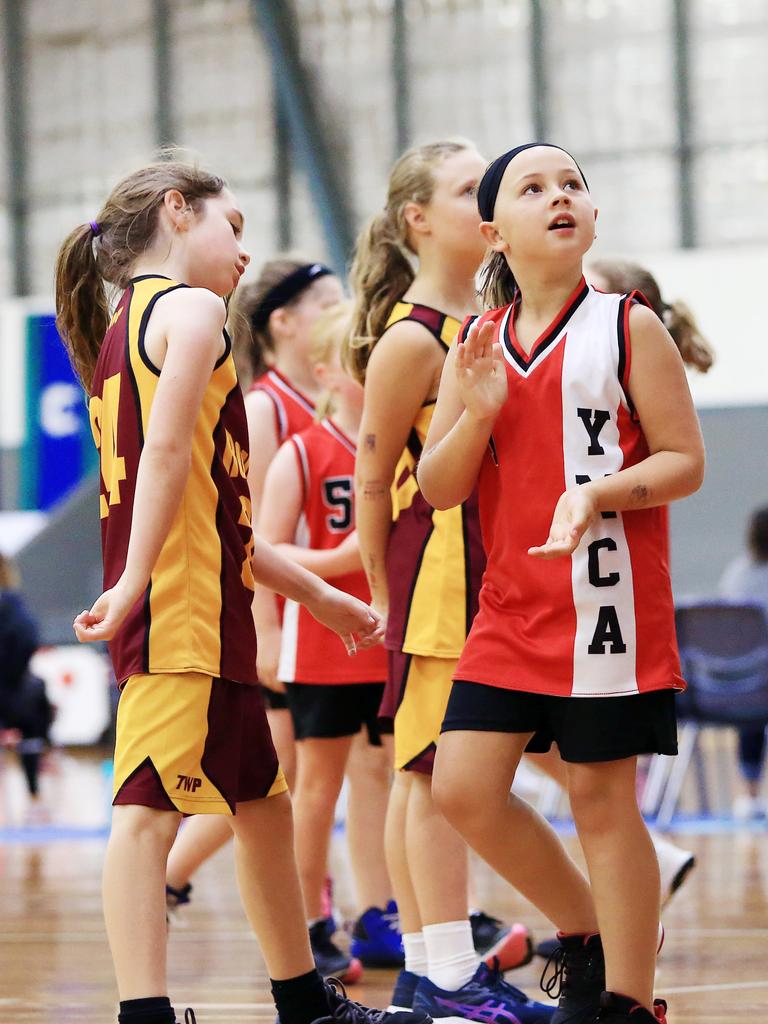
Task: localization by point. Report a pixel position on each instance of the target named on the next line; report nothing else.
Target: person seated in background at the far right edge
(746, 579)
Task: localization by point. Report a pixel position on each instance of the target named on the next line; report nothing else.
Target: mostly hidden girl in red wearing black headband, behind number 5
(276, 315)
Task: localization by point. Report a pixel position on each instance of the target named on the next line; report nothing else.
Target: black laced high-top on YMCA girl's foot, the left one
(578, 978)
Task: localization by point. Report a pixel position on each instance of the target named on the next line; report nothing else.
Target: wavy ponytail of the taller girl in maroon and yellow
(380, 274)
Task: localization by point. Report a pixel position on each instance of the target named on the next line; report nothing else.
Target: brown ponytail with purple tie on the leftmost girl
(82, 304)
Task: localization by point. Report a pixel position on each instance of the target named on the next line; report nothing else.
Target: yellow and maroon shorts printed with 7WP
(191, 743)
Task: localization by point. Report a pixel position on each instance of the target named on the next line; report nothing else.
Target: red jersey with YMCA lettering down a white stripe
(601, 623)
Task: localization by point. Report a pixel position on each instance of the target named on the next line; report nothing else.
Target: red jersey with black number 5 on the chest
(311, 653)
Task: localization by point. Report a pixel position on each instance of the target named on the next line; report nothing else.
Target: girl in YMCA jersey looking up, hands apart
(565, 399)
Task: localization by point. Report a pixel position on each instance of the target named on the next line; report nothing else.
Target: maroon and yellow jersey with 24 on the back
(195, 615)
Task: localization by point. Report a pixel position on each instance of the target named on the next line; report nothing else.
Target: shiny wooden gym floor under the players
(56, 964)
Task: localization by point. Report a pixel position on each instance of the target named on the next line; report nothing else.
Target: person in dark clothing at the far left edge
(26, 713)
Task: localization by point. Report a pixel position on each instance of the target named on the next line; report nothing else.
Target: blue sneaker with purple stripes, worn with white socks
(486, 998)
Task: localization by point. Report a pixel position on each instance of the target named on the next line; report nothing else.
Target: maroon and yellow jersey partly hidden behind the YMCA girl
(436, 559)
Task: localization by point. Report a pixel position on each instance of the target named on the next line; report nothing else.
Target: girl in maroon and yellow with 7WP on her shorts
(181, 560)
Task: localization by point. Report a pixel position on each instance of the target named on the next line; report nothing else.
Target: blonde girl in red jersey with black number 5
(308, 513)
